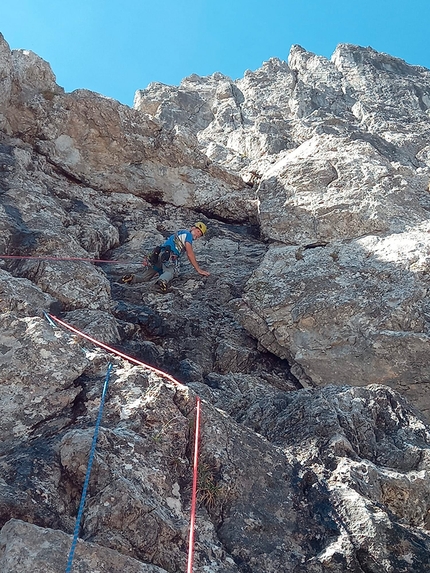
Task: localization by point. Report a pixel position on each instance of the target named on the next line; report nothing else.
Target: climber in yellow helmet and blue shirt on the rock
(164, 260)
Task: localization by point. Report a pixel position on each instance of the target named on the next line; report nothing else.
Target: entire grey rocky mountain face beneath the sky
(307, 346)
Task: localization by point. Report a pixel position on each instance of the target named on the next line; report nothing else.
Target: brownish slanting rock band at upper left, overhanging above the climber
(104, 144)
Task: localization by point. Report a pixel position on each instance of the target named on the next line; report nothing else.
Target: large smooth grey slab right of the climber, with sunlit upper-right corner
(356, 313)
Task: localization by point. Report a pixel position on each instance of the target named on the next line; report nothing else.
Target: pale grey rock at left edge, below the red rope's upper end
(44, 389)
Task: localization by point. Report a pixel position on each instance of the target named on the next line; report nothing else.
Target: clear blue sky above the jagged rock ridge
(115, 47)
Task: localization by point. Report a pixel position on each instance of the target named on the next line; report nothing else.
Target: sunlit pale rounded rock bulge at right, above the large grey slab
(334, 189)
